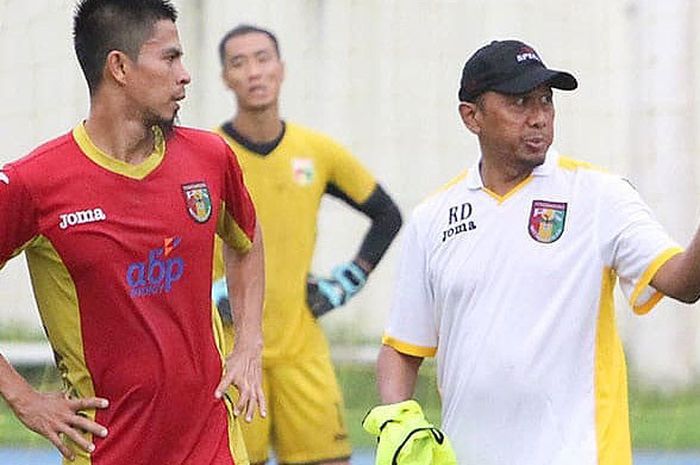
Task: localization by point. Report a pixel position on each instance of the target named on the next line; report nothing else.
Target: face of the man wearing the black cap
(514, 129)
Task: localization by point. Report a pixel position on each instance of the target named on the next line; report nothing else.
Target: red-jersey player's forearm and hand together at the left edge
(50, 414)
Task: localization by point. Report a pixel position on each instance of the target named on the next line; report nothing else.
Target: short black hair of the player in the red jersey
(101, 26)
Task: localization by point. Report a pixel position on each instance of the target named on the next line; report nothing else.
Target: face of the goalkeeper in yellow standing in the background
(253, 71)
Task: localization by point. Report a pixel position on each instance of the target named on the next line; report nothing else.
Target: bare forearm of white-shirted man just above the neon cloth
(396, 375)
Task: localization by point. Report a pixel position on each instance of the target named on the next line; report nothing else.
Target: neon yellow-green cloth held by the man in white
(405, 437)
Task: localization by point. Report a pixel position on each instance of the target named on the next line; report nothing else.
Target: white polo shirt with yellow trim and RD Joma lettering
(514, 295)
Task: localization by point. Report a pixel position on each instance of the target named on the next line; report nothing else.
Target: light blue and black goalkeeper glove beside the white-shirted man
(325, 294)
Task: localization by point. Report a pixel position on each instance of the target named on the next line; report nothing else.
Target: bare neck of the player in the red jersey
(117, 135)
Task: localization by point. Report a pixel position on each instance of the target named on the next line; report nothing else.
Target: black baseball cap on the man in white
(508, 67)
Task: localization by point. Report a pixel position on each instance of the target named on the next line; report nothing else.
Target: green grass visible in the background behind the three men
(658, 421)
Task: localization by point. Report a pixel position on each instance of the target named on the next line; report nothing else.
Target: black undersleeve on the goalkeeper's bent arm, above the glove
(385, 217)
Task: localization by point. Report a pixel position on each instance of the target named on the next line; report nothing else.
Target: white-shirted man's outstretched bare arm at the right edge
(679, 277)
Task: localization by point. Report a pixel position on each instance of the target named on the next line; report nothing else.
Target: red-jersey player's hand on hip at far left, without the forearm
(54, 414)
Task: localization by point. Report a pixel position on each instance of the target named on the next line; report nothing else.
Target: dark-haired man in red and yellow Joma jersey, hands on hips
(116, 218)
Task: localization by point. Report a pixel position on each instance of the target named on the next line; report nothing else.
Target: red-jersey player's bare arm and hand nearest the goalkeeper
(245, 275)
